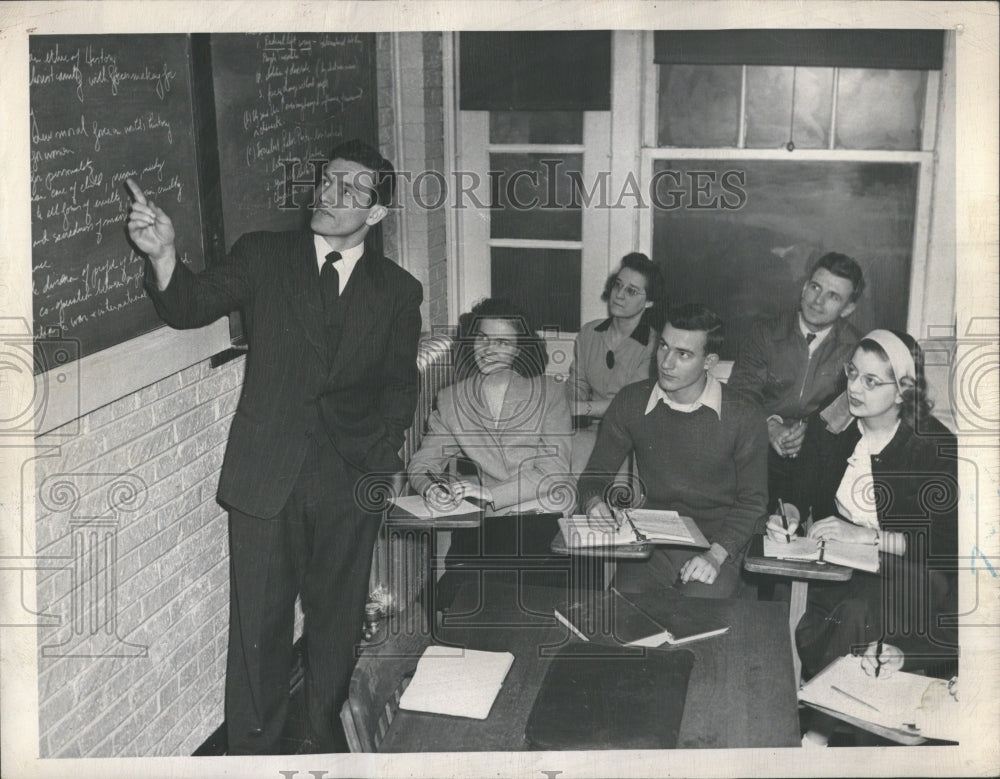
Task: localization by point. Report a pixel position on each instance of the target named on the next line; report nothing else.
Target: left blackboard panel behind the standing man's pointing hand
(103, 108)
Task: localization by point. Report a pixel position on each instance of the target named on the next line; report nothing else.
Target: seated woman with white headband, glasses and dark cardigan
(879, 469)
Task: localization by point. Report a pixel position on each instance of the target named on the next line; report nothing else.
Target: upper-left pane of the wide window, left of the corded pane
(699, 105)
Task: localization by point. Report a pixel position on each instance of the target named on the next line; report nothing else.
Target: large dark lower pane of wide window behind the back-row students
(740, 235)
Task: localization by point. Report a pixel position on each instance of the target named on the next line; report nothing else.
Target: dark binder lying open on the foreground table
(639, 620)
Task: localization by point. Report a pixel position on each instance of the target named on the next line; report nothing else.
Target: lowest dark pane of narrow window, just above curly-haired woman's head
(545, 282)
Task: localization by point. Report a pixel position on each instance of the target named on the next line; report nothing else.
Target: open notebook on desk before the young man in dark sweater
(638, 526)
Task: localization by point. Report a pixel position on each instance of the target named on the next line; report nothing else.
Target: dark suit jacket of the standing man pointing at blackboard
(364, 397)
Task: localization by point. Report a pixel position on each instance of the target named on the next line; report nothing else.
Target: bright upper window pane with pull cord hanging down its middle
(769, 105)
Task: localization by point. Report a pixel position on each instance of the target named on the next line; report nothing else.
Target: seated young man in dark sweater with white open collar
(700, 450)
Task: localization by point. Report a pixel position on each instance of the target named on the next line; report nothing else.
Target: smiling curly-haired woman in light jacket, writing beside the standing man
(509, 425)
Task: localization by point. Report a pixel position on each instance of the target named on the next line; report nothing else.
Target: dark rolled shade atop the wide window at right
(894, 49)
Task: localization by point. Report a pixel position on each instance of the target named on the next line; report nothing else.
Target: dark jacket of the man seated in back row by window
(774, 369)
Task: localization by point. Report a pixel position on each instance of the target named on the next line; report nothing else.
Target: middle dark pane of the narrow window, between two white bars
(533, 196)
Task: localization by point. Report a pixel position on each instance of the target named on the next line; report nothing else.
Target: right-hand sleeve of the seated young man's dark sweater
(750, 460)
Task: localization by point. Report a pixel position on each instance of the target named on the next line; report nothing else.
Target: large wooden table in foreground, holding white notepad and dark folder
(740, 693)
